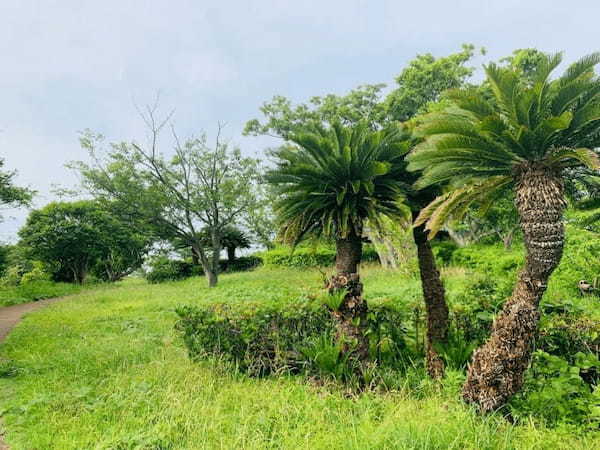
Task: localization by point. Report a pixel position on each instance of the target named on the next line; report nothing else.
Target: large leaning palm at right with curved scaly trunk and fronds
(530, 134)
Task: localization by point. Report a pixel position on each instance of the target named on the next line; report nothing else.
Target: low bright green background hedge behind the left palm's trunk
(308, 257)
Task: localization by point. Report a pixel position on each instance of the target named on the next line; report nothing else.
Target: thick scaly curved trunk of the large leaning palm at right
(496, 372)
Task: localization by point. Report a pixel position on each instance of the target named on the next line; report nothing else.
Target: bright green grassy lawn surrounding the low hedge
(104, 369)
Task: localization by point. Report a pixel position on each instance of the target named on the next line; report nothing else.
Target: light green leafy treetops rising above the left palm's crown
(418, 86)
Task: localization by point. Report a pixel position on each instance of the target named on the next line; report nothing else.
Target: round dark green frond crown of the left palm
(336, 178)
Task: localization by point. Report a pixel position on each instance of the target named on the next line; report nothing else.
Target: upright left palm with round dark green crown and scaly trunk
(330, 183)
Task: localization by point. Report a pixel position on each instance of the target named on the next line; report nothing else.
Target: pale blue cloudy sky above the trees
(70, 65)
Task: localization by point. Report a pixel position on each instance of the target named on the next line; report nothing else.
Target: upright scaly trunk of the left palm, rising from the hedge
(352, 314)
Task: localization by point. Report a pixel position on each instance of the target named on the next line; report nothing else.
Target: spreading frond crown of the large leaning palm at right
(477, 144)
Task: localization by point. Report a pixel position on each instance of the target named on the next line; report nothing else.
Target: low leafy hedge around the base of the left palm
(264, 338)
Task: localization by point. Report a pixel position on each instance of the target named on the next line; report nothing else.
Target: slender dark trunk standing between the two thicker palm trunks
(435, 302)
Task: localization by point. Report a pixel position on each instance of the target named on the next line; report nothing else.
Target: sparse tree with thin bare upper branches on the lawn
(197, 187)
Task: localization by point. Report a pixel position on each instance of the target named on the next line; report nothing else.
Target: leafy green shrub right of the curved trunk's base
(555, 391)
